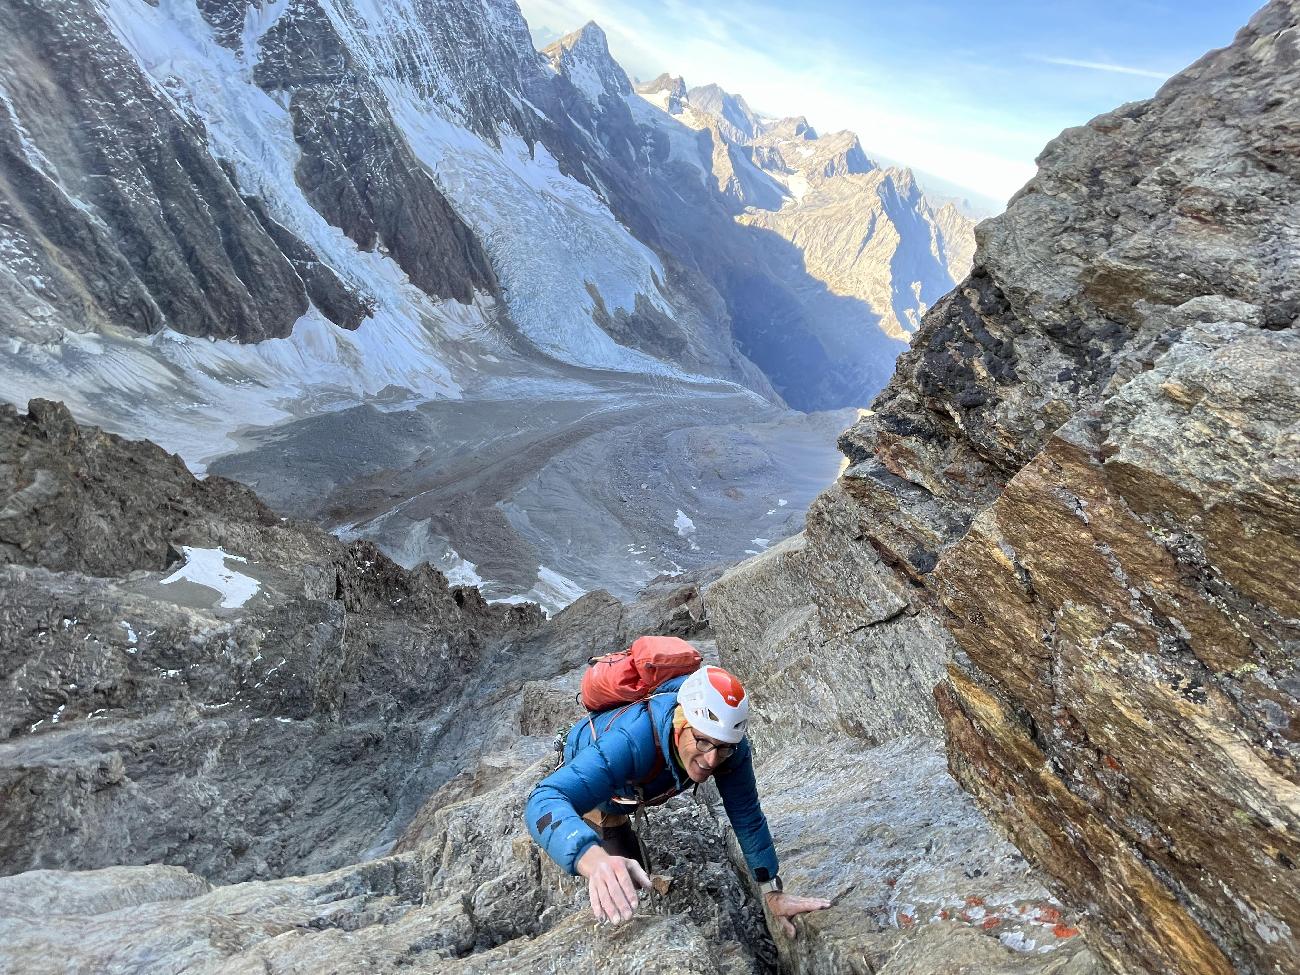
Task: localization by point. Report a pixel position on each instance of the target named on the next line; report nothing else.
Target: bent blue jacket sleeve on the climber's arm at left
(556, 808)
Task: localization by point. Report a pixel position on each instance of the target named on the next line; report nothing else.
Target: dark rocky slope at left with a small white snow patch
(157, 726)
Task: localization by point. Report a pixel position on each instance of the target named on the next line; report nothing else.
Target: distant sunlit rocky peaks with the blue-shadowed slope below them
(882, 254)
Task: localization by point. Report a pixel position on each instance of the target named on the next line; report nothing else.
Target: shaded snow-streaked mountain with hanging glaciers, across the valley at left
(218, 214)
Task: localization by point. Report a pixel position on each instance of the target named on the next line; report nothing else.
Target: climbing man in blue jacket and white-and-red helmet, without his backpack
(690, 730)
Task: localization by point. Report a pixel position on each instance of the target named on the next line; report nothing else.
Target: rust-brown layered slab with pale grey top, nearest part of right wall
(1142, 649)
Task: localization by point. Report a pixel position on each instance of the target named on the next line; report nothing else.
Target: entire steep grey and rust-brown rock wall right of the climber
(1080, 496)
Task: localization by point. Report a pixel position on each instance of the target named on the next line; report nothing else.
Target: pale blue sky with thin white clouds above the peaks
(965, 92)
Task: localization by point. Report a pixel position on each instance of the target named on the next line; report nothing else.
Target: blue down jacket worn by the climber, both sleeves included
(622, 756)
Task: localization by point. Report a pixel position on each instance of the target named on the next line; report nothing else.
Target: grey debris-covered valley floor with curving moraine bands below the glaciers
(548, 486)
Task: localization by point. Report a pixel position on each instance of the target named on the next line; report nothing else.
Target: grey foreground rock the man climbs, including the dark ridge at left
(332, 774)
